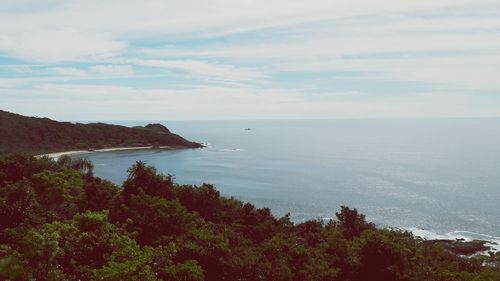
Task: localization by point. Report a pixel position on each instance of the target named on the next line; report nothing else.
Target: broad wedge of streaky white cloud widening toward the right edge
(452, 52)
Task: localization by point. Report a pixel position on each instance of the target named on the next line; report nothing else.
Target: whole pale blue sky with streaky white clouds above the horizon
(250, 59)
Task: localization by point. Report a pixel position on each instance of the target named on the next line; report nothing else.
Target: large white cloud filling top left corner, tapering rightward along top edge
(96, 29)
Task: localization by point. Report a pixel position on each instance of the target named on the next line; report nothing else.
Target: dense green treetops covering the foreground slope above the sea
(59, 222)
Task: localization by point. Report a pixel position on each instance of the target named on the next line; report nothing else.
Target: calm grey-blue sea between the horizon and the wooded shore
(435, 177)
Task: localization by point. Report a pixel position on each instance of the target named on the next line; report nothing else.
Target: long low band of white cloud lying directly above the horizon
(118, 102)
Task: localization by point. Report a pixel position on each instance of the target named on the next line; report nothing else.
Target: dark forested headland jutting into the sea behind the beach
(40, 135)
